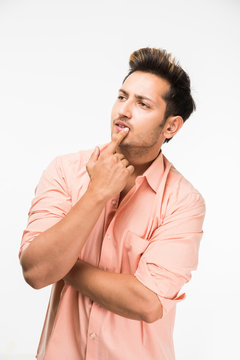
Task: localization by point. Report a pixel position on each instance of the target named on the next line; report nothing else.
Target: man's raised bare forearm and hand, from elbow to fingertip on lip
(52, 254)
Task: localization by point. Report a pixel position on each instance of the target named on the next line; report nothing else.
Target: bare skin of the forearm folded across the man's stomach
(120, 293)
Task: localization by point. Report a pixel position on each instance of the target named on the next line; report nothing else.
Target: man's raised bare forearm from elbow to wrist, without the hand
(53, 253)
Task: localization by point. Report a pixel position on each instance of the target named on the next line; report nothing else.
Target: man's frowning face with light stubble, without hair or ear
(141, 107)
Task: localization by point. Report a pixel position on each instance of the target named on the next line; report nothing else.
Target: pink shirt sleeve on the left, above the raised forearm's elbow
(50, 204)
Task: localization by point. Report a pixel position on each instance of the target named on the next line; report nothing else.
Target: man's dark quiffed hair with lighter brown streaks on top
(157, 61)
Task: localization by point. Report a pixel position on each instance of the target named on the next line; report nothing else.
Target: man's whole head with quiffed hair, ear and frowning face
(154, 101)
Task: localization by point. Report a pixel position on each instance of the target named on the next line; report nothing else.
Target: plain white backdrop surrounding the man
(61, 64)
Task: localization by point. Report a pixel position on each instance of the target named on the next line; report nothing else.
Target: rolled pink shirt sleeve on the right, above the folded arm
(172, 254)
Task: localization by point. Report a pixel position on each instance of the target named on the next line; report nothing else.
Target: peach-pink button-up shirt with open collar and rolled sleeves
(154, 234)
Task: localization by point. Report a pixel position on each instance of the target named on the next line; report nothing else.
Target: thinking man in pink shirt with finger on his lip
(117, 230)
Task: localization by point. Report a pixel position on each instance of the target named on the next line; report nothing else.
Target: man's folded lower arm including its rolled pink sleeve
(163, 269)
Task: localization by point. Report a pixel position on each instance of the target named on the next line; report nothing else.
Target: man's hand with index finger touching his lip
(109, 171)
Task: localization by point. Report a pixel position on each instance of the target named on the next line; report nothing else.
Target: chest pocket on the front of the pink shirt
(133, 248)
